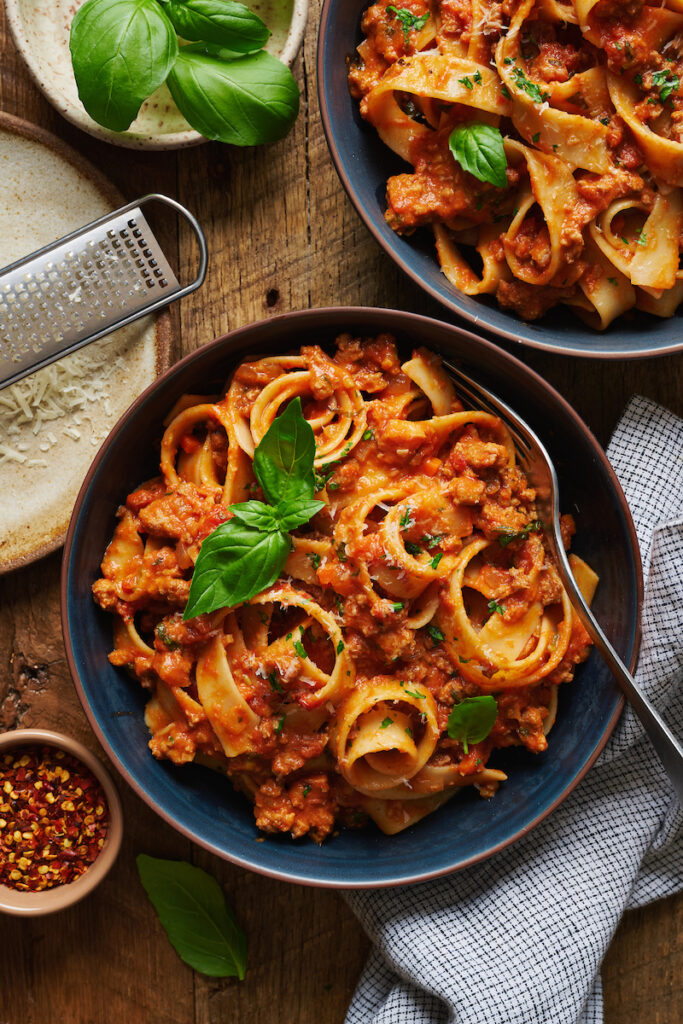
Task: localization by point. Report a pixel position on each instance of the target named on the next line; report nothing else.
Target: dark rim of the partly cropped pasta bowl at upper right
(595, 353)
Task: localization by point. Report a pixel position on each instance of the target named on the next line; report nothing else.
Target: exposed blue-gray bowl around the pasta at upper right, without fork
(365, 163)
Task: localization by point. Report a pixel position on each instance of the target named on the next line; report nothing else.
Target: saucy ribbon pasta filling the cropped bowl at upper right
(586, 99)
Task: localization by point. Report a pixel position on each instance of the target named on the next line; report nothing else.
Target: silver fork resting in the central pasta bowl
(538, 466)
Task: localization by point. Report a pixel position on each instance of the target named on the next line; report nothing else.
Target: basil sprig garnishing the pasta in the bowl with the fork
(243, 558)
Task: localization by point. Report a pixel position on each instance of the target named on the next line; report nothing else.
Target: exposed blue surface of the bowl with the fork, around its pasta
(201, 803)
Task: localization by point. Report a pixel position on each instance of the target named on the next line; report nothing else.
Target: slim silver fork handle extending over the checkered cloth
(665, 743)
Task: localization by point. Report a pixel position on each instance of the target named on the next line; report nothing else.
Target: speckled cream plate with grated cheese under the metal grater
(48, 444)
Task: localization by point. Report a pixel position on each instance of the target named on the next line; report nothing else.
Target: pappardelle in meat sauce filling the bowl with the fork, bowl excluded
(417, 625)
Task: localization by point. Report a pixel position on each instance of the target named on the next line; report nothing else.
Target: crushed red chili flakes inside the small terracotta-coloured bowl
(54, 819)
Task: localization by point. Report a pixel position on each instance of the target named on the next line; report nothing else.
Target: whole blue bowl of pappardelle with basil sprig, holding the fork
(309, 610)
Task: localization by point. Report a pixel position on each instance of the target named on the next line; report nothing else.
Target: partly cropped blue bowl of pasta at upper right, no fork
(519, 164)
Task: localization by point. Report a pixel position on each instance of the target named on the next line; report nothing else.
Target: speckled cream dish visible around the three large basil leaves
(40, 30)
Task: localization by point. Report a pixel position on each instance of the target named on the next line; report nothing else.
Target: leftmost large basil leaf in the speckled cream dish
(121, 51)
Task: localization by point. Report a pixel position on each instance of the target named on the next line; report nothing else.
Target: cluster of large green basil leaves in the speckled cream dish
(226, 87)
